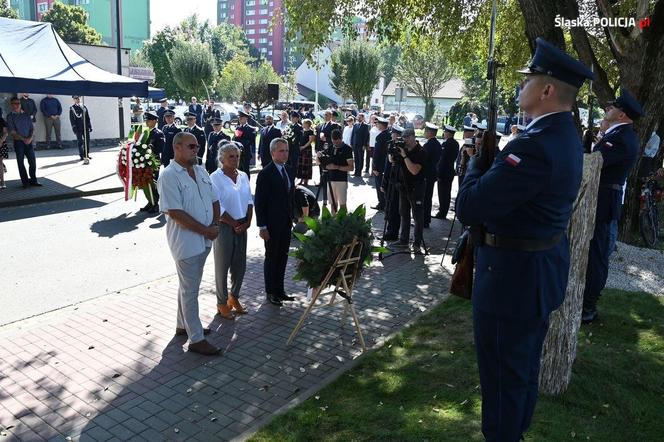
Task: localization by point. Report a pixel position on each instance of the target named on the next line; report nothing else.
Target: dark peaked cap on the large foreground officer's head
(552, 61)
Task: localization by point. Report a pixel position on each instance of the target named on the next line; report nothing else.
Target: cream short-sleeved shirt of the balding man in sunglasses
(178, 191)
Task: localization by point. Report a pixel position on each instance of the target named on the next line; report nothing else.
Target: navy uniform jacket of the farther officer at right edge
(619, 149)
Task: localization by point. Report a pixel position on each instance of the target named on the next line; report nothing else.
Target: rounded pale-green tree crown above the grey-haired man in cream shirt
(192, 66)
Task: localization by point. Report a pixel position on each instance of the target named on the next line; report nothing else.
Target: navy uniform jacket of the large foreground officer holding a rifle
(528, 192)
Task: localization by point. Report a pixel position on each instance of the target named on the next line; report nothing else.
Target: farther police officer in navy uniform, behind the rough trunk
(619, 147)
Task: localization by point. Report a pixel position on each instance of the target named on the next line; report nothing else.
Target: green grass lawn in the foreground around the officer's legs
(423, 384)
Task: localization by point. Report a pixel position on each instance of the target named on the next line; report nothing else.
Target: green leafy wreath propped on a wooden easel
(321, 244)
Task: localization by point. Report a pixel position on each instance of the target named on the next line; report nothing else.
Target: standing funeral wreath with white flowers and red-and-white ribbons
(138, 164)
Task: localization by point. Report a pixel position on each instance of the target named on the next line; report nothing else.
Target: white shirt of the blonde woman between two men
(234, 198)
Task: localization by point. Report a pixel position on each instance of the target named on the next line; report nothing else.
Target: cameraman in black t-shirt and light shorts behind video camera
(341, 162)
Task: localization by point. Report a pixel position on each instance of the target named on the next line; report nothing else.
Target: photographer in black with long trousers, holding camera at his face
(410, 159)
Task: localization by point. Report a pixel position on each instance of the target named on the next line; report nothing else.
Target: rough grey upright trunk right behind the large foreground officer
(559, 349)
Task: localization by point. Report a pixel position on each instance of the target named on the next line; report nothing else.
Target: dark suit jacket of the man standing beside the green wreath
(272, 201)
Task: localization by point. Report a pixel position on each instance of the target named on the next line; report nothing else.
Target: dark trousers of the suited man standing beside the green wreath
(276, 258)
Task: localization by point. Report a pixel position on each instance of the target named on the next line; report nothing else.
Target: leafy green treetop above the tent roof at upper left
(71, 23)
